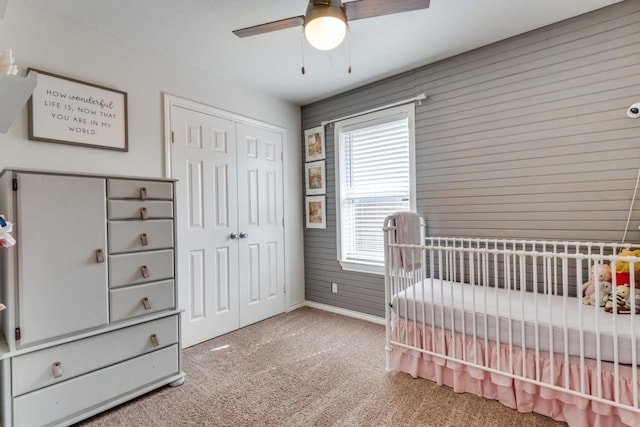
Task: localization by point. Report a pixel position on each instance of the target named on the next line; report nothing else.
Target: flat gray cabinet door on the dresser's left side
(62, 285)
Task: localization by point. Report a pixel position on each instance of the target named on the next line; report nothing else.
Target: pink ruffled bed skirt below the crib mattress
(516, 394)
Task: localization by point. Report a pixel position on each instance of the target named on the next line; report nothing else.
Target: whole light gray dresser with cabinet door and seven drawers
(92, 318)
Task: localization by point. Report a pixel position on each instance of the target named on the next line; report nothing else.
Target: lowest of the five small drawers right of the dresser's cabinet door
(141, 299)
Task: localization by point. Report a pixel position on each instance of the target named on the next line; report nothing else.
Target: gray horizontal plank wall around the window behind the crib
(525, 138)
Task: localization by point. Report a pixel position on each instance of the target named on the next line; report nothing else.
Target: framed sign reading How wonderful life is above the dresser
(69, 111)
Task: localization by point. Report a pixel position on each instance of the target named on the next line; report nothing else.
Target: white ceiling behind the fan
(198, 33)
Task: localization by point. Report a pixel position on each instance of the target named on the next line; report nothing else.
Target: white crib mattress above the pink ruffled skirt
(496, 314)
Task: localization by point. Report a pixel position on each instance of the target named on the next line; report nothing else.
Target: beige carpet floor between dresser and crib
(305, 368)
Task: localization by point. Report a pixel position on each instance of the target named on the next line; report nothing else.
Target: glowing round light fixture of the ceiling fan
(325, 24)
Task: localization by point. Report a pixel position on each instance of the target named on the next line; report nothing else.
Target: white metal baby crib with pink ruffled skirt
(504, 319)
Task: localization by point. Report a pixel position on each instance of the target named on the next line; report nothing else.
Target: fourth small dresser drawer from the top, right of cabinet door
(140, 267)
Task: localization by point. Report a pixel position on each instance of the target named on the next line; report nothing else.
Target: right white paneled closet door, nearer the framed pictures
(260, 222)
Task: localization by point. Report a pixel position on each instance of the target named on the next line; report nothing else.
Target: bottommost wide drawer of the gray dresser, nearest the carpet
(60, 401)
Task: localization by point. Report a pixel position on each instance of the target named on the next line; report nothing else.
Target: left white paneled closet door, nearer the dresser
(204, 162)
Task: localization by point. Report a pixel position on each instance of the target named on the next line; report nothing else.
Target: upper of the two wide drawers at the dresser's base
(35, 370)
